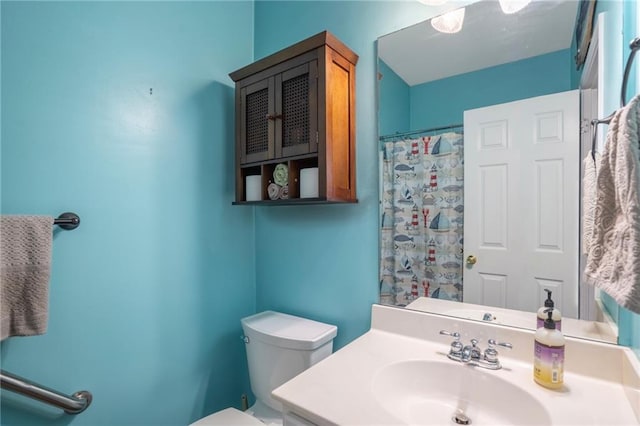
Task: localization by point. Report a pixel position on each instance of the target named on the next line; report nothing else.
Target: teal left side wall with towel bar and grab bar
(147, 294)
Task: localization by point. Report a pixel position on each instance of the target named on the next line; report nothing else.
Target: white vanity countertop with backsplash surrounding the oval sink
(339, 390)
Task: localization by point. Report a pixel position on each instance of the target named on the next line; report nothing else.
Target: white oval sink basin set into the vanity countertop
(423, 392)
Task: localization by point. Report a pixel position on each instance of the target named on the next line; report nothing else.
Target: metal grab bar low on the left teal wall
(74, 404)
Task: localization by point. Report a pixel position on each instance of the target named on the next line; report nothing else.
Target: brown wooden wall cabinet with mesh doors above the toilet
(297, 107)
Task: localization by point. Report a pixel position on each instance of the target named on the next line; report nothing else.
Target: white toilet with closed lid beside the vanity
(279, 347)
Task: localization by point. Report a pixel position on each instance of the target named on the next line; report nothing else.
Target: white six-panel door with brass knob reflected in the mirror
(521, 214)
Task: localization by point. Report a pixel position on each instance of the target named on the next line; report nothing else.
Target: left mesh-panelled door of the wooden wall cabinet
(257, 109)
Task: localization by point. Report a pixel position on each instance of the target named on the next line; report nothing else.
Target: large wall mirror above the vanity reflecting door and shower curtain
(467, 230)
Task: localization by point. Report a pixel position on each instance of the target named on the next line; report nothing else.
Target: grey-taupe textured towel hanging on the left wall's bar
(25, 264)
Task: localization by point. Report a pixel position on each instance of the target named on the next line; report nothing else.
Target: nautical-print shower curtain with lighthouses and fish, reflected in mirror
(422, 219)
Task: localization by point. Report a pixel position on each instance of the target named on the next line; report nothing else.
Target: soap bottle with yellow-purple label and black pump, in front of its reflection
(548, 357)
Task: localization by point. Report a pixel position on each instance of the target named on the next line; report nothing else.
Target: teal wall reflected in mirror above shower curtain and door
(442, 102)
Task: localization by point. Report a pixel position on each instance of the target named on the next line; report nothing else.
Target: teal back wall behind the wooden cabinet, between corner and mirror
(322, 261)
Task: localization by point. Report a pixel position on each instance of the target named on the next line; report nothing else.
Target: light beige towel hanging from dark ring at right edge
(613, 258)
